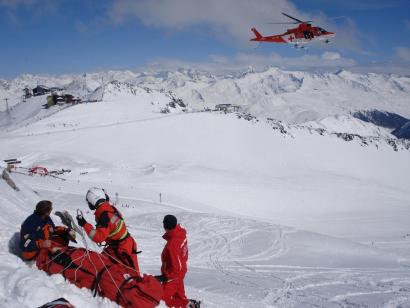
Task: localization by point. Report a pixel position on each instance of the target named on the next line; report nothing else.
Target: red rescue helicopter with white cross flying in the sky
(304, 33)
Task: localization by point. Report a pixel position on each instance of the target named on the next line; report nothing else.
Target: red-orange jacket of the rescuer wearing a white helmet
(110, 225)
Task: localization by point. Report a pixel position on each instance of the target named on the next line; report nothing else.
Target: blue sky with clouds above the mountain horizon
(76, 36)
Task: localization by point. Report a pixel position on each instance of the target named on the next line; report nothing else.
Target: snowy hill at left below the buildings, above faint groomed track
(118, 102)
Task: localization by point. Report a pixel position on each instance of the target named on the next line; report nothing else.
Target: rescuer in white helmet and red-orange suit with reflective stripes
(111, 229)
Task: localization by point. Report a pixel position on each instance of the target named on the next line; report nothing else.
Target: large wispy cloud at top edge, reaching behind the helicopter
(226, 19)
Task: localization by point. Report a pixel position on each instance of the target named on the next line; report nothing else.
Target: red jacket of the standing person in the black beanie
(175, 254)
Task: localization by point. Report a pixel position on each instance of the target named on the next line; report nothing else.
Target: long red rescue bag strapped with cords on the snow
(94, 271)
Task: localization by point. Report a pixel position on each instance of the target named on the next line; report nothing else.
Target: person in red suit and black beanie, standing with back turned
(174, 259)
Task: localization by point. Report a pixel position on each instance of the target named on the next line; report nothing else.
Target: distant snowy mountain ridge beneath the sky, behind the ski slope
(295, 97)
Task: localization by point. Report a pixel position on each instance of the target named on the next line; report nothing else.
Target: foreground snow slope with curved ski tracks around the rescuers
(234, 262)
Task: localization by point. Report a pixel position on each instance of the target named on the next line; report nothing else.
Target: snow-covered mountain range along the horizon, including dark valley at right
(340, 102)
